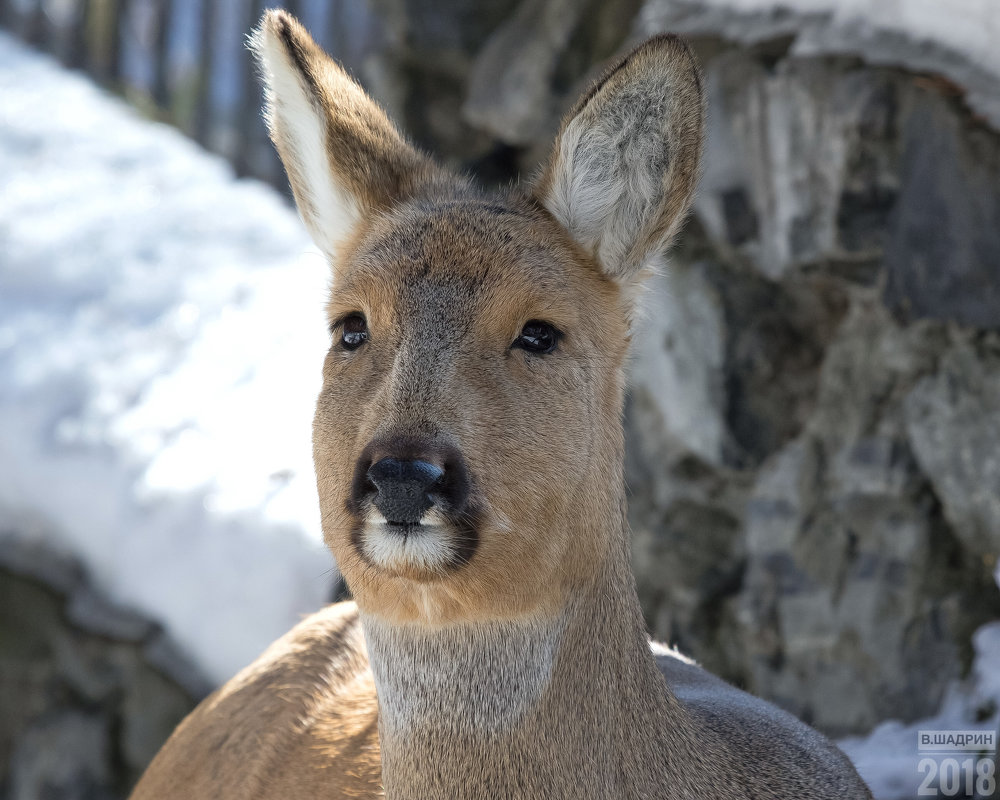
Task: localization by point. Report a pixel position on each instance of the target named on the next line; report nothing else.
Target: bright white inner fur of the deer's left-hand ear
(297, 121)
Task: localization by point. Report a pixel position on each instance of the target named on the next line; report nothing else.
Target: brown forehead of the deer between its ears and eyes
(470, 267)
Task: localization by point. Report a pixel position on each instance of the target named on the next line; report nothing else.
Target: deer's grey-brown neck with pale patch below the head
(553, 708)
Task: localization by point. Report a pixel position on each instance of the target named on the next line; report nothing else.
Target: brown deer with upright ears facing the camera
(469, 451)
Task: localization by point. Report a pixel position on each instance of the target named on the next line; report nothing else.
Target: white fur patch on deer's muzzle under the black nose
(425, 546)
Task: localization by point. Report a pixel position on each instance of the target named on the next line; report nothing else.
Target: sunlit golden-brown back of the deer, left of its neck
(301, 721)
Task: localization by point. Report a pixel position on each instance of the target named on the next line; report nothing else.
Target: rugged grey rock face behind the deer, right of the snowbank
(813, 426)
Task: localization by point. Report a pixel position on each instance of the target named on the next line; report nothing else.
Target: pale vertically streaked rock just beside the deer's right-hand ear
(775, 149)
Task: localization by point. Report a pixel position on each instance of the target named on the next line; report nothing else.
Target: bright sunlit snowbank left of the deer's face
(161, 340)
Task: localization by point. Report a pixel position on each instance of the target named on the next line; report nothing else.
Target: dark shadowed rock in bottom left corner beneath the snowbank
(86, 702)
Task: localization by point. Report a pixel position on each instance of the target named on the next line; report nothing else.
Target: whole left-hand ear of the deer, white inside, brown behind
(343, 156)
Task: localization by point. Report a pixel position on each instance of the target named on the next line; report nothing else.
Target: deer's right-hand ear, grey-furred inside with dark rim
(625, 163)
